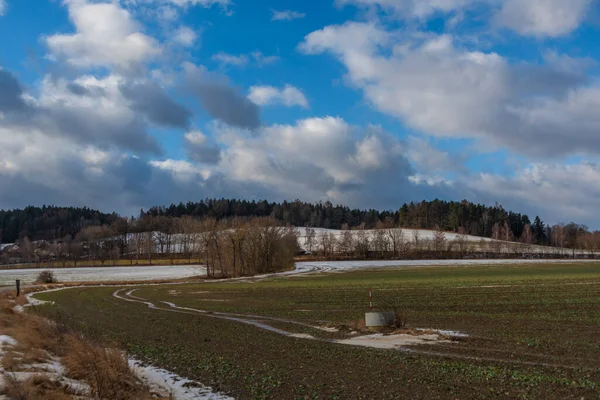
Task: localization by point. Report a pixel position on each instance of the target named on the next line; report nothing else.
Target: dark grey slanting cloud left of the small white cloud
(219, 99)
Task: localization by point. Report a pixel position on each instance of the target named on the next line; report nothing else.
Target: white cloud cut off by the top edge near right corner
(543, 17)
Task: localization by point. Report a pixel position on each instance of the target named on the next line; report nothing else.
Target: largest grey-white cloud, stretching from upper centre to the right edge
(442, 89)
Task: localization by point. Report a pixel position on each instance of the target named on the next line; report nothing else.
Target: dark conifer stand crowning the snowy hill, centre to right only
(450, 216)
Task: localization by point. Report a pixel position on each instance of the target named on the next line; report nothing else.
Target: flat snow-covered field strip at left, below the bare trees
(106, 274)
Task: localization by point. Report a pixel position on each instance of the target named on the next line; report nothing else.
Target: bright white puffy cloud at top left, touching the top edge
(106, 36)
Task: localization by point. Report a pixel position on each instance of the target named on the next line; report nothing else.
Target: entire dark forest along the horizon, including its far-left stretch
(56, 223)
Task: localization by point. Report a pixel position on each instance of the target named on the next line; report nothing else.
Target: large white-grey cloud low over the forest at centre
(316, 159)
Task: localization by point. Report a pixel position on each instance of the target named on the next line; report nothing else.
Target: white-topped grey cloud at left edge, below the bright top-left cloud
(88, 111)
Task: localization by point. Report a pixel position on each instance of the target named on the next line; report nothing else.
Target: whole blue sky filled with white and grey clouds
(125, 104)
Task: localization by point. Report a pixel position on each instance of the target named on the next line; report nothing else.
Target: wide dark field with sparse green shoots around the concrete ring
(533, 333)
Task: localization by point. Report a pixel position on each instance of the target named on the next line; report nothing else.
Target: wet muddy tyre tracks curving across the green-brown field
(259, 322)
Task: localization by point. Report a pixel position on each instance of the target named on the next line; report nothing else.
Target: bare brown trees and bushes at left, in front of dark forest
(228, 248)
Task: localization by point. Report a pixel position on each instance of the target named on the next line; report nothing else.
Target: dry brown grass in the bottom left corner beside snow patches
(105, 370)
